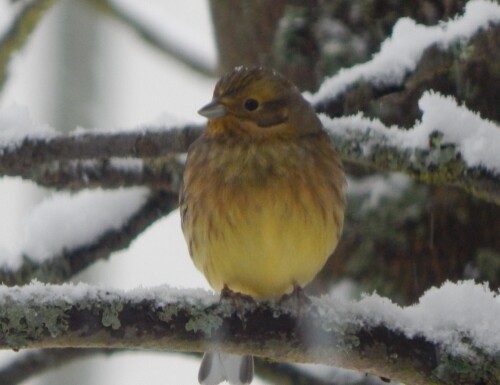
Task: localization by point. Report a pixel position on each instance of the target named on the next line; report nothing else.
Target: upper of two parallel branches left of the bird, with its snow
(25, 144)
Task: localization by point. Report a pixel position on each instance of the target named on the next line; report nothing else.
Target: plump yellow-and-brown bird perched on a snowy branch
(263, 197)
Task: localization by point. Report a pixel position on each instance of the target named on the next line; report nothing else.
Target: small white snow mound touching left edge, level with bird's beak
(16, 125)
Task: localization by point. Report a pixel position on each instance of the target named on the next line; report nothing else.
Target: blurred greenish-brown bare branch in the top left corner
(19, 32)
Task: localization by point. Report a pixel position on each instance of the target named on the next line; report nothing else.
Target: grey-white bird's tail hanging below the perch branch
(217, 367)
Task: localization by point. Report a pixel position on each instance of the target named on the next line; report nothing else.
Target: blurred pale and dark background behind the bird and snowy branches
(126, 64)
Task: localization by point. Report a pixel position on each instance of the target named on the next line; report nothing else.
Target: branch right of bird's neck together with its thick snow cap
(451, 145)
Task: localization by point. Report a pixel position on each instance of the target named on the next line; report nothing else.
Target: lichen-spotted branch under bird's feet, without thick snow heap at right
(49, 316)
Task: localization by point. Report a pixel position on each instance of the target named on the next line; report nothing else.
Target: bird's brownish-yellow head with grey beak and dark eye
(259, 102)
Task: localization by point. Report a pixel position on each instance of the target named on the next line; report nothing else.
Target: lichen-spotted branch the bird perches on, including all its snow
(444, 338)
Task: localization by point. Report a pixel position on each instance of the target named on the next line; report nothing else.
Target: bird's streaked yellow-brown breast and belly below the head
(262, 219)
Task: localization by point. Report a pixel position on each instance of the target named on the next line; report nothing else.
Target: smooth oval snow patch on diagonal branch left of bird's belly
(66, 221)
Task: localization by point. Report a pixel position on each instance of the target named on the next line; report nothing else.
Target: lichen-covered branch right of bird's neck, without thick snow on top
(440, 163)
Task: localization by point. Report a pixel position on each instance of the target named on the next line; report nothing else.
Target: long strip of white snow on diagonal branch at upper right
(401, 53)
